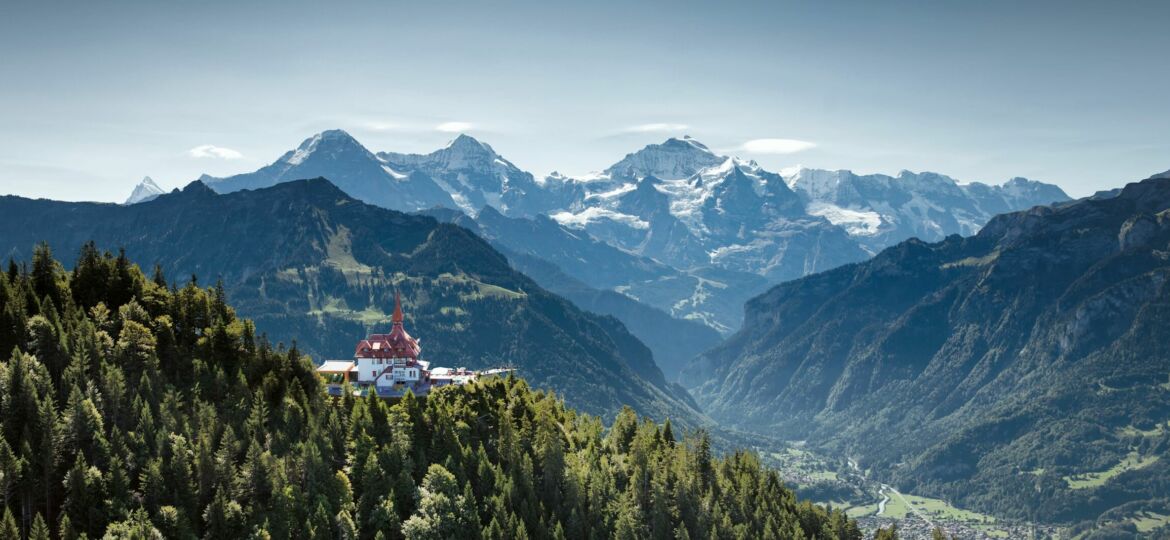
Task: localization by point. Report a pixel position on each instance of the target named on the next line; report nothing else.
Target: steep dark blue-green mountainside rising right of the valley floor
(1011, 371)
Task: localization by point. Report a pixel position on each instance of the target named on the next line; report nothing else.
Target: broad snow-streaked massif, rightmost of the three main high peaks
(682, 204)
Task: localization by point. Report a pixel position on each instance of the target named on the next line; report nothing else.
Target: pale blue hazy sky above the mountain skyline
(97, 95)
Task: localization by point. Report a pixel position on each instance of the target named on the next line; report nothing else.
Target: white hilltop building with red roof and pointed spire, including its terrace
(390, 365)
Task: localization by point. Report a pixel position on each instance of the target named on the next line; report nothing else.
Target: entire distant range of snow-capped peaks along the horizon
(715, 230)
